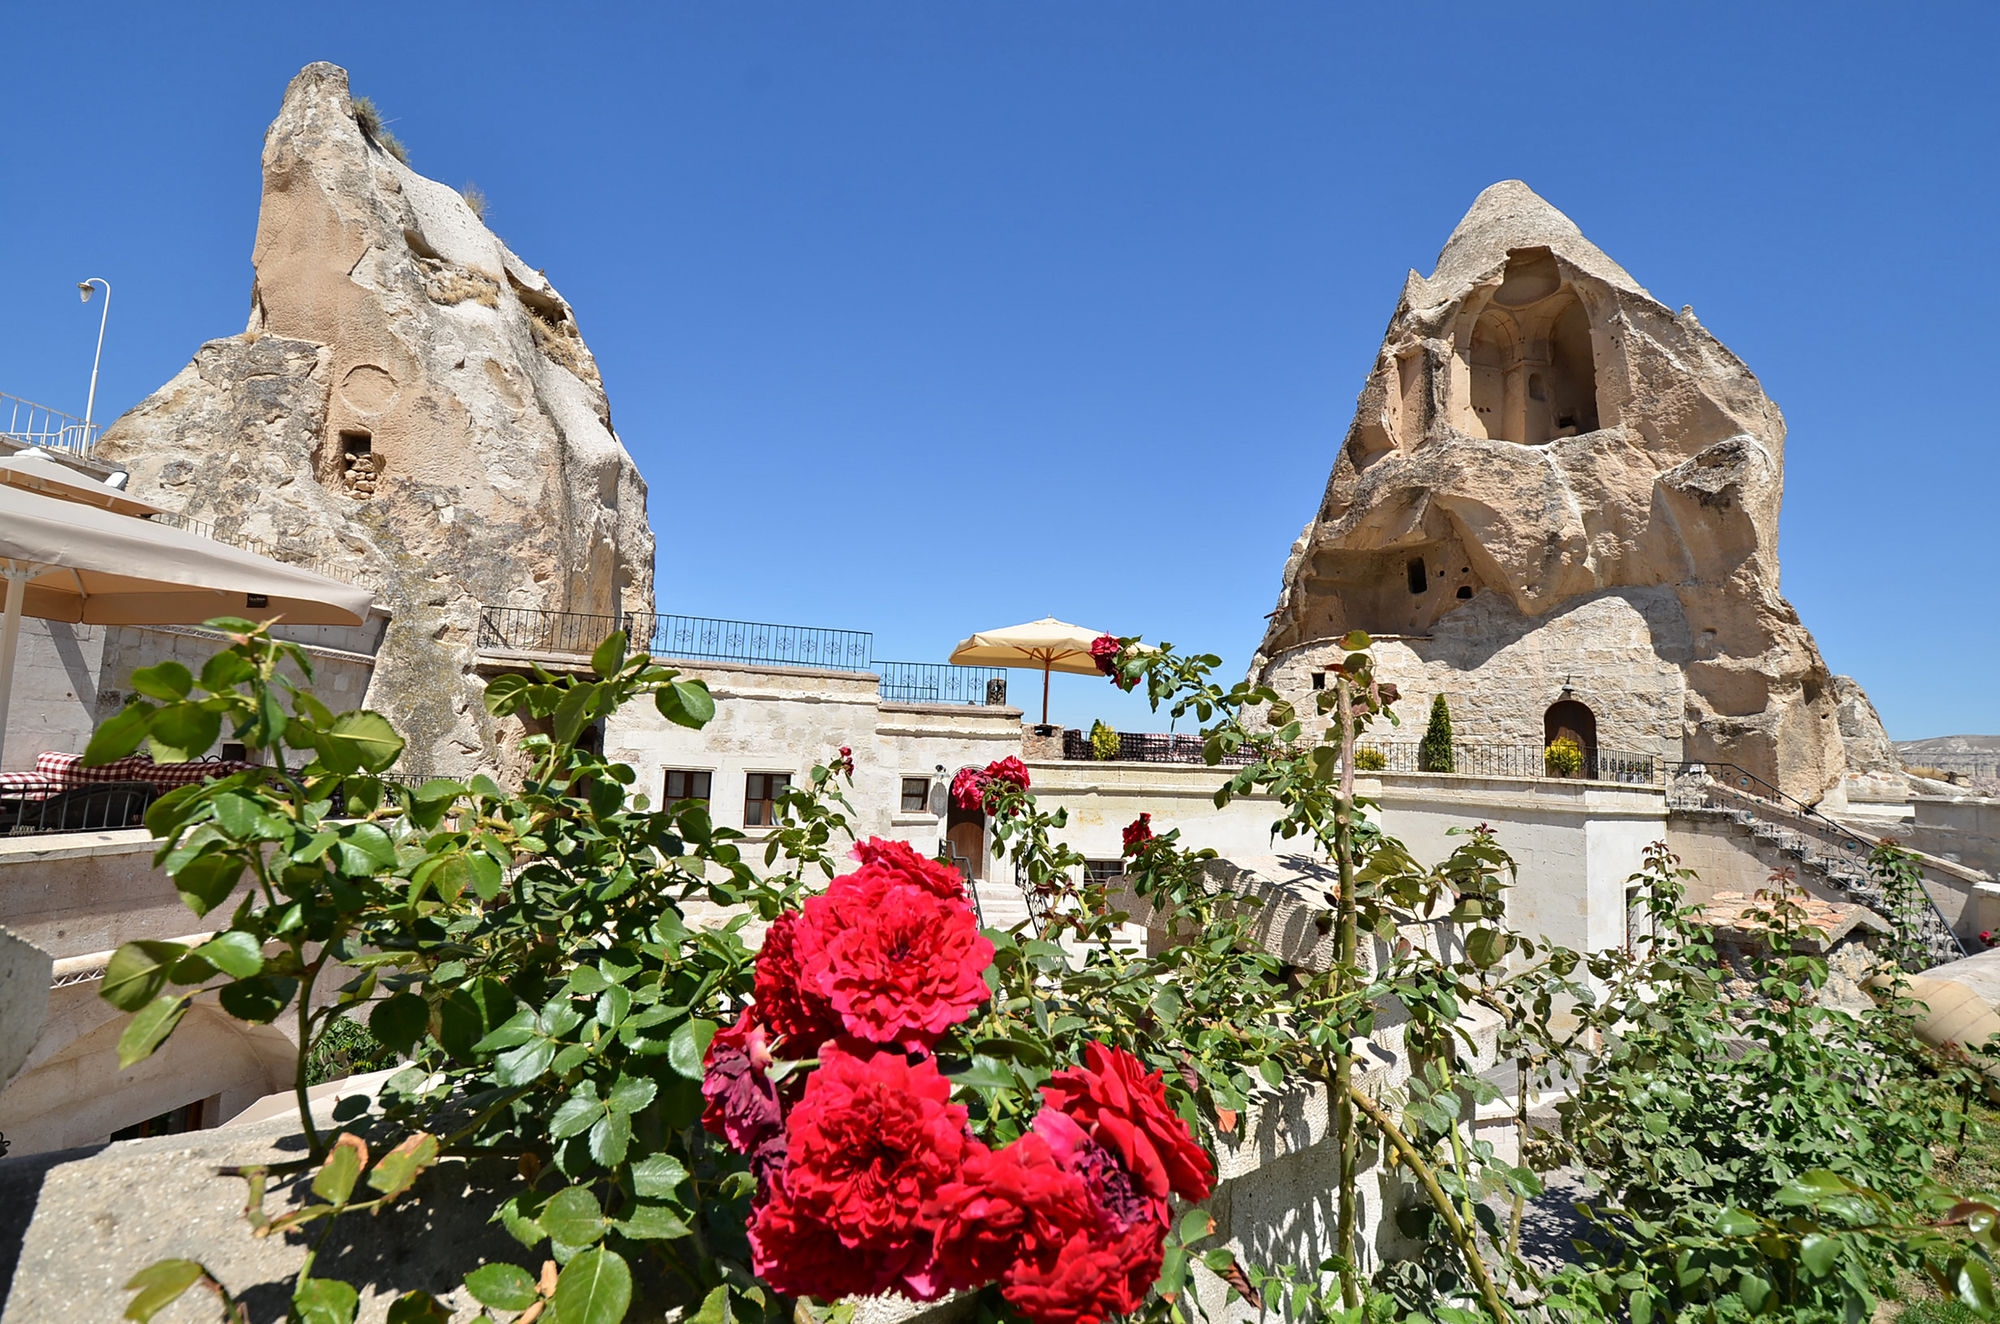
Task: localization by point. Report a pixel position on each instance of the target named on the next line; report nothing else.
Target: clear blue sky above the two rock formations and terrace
(935, 317)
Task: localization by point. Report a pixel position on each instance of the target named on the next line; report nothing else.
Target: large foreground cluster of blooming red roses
(871, 1179)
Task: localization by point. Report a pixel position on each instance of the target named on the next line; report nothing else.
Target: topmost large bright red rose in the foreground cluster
(897, 963)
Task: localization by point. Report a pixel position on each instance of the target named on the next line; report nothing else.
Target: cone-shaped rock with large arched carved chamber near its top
(1559, 505)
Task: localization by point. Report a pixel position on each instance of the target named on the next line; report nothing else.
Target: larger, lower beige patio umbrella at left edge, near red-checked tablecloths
(67, 561)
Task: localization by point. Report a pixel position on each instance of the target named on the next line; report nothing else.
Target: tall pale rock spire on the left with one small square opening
(411, 405)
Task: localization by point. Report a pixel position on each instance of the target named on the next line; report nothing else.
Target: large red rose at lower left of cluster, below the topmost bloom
(869, 1147)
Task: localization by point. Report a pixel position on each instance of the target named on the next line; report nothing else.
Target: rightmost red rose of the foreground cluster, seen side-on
(1123, 1107)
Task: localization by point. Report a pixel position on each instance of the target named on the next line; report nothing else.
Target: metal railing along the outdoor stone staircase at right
(1803, 833)
